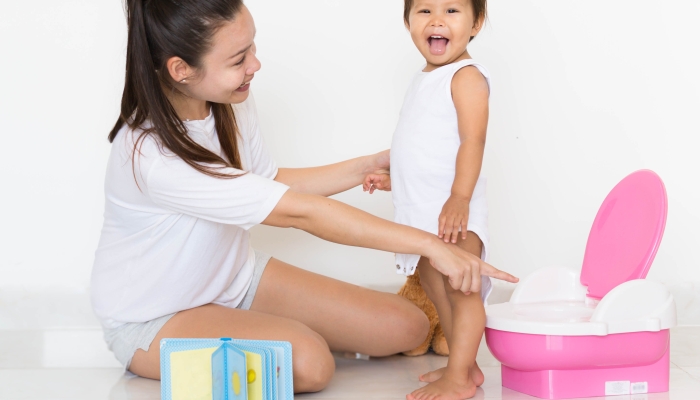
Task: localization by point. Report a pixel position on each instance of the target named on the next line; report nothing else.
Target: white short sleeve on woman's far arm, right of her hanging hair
(261, 163)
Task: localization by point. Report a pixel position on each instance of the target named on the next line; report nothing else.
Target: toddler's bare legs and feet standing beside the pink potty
(463, 320)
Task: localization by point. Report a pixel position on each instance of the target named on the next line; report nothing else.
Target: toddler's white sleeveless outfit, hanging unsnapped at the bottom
(423, 159)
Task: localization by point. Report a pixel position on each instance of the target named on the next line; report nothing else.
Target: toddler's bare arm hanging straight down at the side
(470, 94)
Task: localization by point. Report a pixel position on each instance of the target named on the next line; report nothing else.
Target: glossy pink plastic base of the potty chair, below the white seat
(561, 367)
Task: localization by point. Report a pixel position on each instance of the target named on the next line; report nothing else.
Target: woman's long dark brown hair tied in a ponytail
(159, 30)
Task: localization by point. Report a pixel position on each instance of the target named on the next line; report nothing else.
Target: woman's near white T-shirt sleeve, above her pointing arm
(244, 201)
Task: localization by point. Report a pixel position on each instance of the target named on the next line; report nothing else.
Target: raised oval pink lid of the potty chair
(626, 233)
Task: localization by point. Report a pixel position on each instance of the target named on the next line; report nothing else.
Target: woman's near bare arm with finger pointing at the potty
(337, 222)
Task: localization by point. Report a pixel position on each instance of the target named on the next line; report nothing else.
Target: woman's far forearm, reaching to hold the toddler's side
(335, 178)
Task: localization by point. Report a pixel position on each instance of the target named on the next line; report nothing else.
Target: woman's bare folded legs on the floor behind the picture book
(312, 312)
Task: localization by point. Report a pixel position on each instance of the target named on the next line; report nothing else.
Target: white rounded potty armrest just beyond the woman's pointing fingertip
(549, 285)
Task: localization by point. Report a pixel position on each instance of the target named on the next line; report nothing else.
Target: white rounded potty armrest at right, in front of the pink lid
(637, 305)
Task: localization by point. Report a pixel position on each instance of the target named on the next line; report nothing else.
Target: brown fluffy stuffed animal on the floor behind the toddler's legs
(413, 291)
